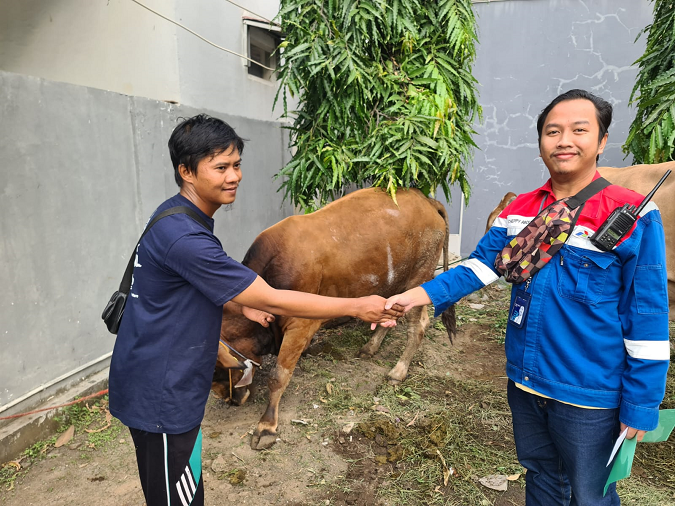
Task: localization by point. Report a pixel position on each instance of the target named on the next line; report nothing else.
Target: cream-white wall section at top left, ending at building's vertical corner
(107, 44)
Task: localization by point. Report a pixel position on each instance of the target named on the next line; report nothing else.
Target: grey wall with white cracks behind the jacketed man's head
(530, 51)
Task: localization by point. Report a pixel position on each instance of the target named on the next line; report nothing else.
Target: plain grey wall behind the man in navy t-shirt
(82, 170)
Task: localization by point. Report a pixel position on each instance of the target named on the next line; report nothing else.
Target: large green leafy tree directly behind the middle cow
(385, 95)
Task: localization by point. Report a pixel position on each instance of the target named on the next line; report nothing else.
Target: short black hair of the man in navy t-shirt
(197, 138)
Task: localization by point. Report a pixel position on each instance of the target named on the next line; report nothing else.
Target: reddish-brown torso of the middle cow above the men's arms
(358, 245)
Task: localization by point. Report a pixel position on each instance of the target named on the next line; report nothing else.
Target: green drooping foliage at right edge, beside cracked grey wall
(651, 135)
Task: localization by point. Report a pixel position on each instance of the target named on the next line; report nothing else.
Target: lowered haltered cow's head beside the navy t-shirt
(248, 342)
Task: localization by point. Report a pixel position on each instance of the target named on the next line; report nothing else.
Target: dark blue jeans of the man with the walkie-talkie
(564, 449)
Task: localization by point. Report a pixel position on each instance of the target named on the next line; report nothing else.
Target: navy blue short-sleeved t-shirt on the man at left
(166, 348)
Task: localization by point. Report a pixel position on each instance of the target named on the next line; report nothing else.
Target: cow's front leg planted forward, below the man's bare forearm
(296, 336)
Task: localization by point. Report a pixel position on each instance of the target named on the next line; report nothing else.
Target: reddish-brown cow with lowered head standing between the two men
(361, 244)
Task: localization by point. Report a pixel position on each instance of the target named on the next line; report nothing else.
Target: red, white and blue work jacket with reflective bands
(596, 333)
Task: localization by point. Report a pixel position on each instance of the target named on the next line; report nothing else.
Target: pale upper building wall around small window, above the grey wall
(118, 45)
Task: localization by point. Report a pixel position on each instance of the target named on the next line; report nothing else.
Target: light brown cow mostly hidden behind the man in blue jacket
(639, 178)
